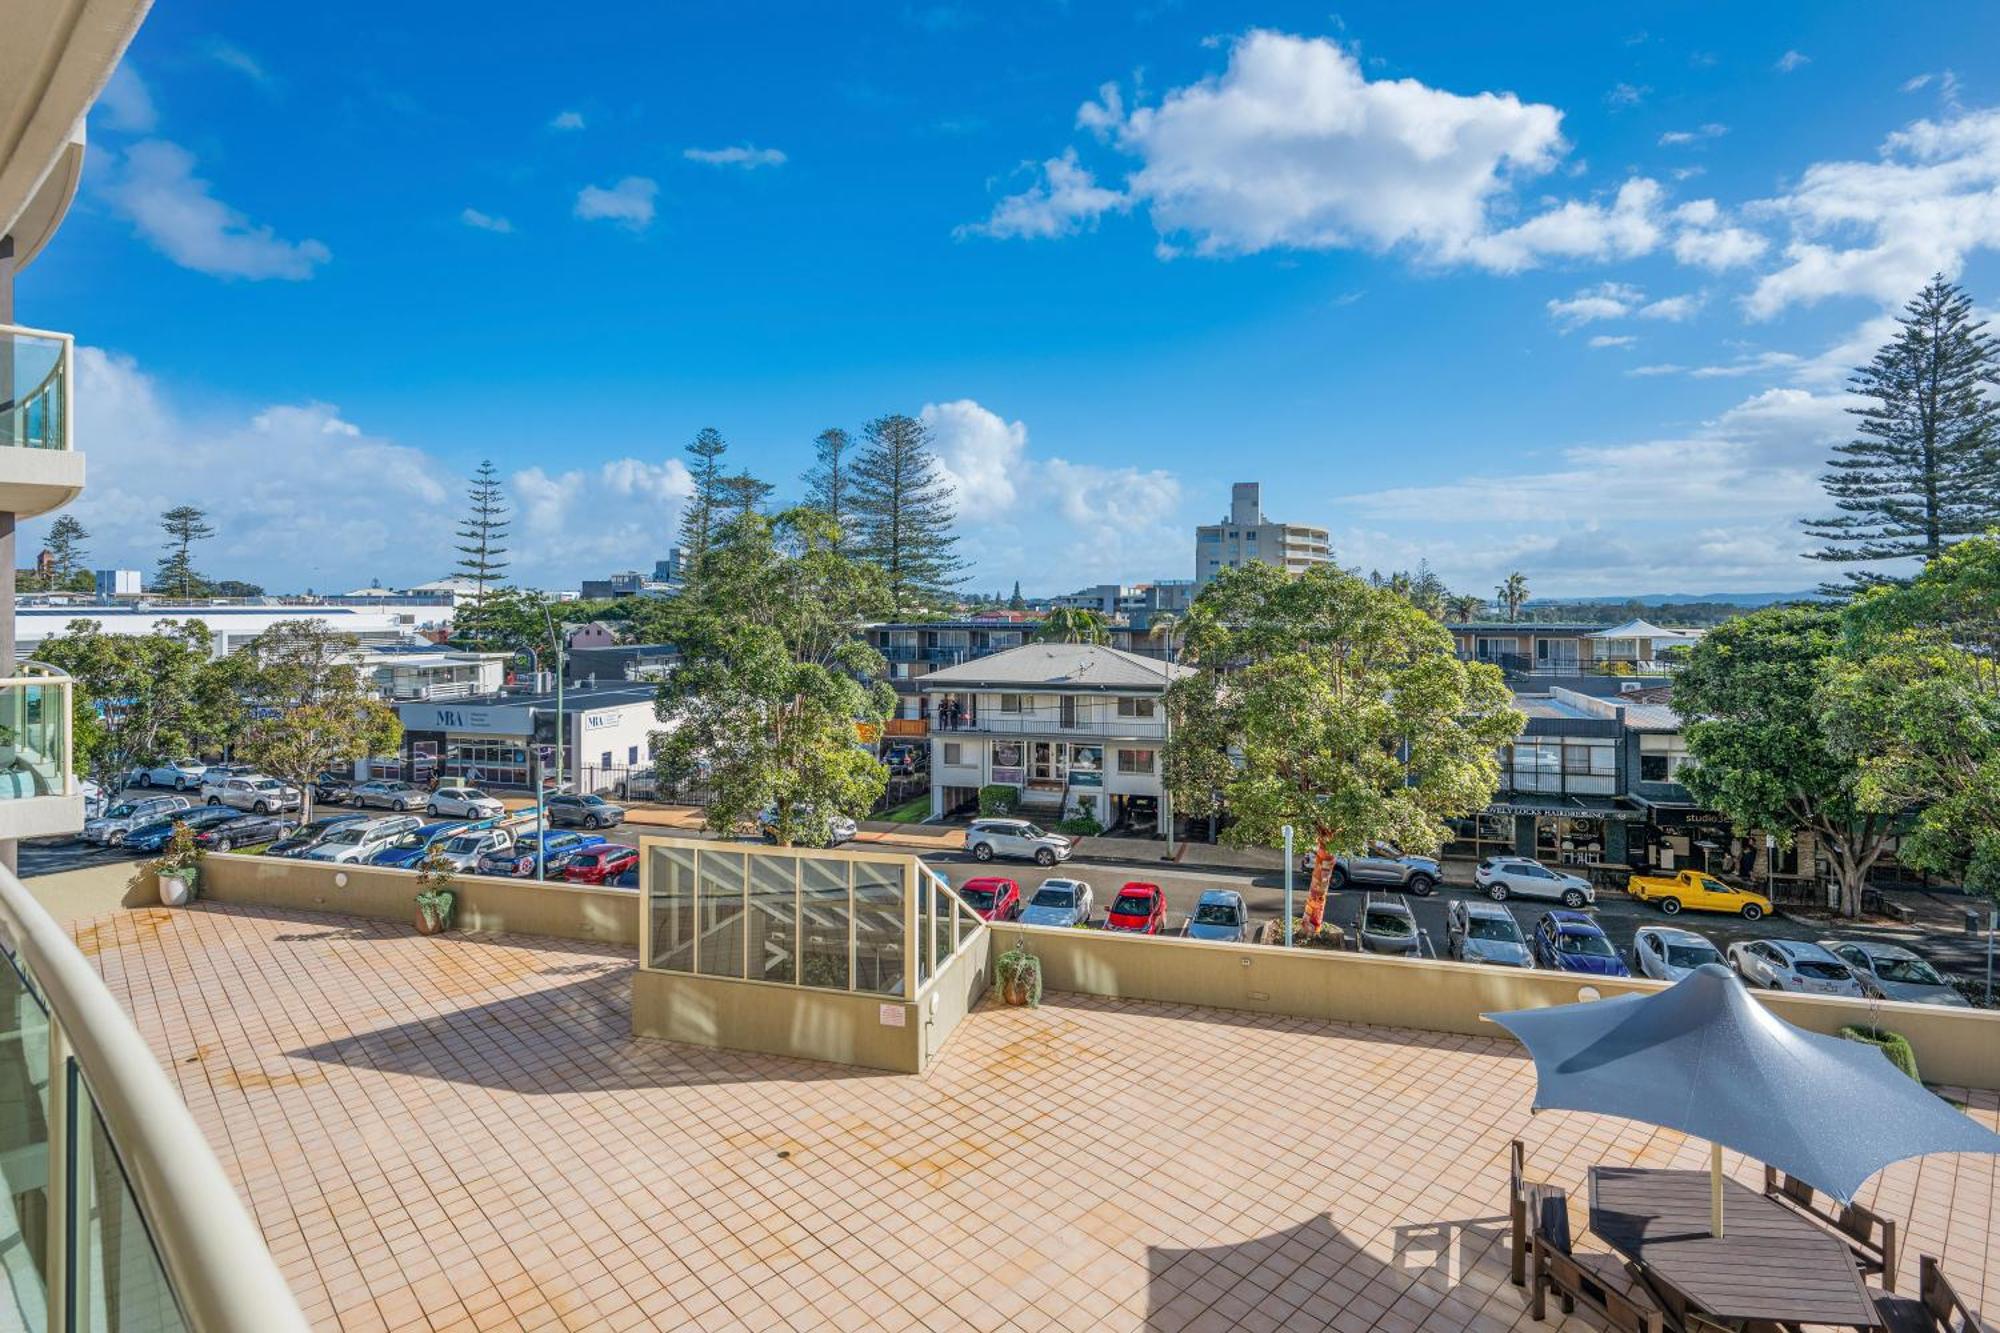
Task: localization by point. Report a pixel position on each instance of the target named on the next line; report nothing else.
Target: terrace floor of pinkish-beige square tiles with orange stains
(459, 1134)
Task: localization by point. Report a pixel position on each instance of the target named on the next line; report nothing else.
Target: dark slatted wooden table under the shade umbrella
(1771, 1264)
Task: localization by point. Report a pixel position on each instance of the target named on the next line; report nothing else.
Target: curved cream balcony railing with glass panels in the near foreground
(121, 1216)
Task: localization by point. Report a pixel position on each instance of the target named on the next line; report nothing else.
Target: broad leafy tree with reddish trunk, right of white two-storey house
(1337, 708)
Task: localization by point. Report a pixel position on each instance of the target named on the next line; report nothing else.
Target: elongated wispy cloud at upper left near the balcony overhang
(155, 189)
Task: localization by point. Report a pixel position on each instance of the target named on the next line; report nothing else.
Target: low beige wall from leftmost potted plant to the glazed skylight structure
(485, 904)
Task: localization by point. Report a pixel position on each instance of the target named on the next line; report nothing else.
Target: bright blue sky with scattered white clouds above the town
(1561, 289)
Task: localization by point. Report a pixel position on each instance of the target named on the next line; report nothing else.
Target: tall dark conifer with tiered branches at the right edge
(1925, 465)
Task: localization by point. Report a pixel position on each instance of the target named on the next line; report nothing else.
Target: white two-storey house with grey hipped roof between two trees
(1077, 728)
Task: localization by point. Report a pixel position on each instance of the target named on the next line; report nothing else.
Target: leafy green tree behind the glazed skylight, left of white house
(769, 694)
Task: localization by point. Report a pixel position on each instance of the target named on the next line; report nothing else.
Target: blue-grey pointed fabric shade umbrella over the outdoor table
(1707, 1060)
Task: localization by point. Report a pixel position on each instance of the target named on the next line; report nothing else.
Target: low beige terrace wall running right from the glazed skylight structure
(1953, 1046)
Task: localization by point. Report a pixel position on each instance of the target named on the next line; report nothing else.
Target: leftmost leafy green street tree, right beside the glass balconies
(143, 700)
